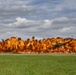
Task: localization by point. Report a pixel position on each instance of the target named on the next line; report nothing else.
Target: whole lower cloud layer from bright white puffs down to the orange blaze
(25, 28)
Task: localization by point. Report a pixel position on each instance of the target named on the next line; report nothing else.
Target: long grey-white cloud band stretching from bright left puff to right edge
(43, 24)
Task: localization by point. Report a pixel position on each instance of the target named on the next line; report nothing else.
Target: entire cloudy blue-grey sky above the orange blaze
(39, 18)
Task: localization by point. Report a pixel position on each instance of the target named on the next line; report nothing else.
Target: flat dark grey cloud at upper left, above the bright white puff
(23, 10)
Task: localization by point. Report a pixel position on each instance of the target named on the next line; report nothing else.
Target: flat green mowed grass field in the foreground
(40, 64)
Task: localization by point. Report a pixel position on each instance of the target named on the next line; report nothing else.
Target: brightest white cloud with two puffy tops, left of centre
(24, 23)
